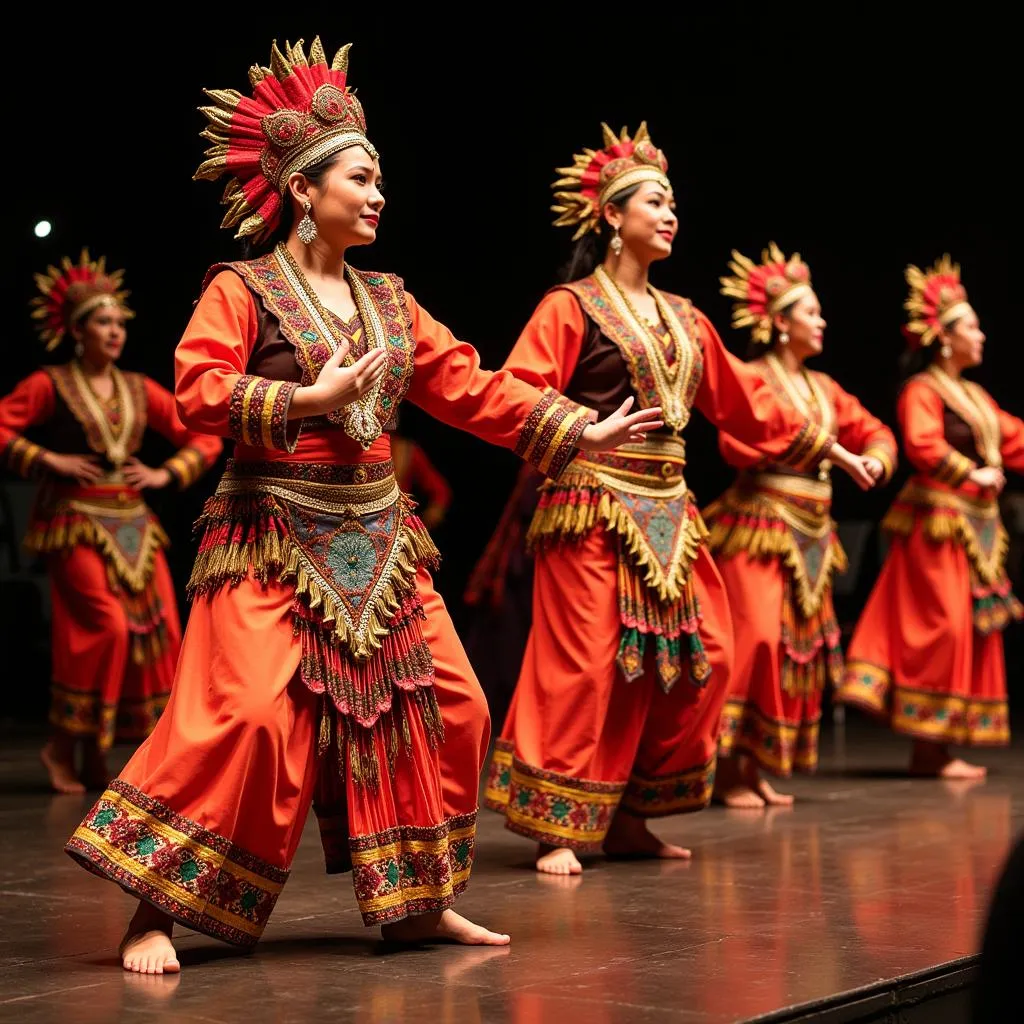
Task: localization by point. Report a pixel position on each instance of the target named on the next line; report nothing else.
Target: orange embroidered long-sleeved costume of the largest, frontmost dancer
(320, 665)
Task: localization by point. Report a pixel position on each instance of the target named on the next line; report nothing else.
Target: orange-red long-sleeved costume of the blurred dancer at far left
(116, 632)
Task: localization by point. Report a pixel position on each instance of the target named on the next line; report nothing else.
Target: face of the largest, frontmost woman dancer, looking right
(347, 207)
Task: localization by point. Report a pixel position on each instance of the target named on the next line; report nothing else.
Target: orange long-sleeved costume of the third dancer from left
(626, 670)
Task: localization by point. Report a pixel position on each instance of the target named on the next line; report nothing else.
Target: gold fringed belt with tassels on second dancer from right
(789, 518)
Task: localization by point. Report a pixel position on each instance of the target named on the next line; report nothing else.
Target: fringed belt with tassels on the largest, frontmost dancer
(349, 541)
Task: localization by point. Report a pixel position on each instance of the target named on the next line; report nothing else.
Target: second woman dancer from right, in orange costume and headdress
(776, 544)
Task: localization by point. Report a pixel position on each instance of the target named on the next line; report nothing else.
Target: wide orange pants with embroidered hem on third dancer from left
(580, 742)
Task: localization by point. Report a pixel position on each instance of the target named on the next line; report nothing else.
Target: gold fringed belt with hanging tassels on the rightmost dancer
(973, 524)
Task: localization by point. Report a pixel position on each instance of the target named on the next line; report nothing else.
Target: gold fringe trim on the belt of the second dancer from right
(770, 535)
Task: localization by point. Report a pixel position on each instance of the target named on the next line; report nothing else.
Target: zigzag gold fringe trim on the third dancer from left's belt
(595, 504)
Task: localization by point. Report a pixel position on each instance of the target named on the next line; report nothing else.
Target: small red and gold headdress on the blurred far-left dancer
(71, 291)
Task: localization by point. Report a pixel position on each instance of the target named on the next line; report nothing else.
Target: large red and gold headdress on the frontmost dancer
(302, 112)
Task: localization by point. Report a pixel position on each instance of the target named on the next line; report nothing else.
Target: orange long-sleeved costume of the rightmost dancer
(927, 654)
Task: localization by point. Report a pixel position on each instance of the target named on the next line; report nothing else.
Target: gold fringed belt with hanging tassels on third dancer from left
(638, 494)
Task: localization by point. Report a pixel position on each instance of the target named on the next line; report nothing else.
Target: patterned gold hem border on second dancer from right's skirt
(779, 747)
